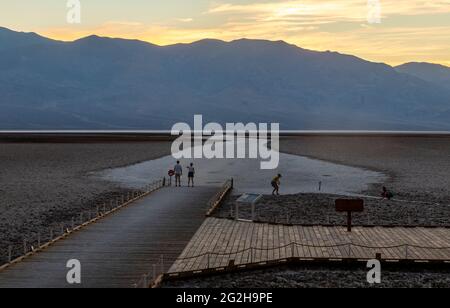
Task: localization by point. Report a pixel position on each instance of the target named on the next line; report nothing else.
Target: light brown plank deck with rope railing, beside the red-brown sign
(219, 241)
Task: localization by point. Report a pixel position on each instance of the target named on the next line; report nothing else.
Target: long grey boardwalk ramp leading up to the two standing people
(117, 250)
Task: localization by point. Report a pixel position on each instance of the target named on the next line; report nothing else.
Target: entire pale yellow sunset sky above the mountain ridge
(407, 30)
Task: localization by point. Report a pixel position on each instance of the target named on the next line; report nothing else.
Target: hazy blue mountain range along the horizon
(103, 83)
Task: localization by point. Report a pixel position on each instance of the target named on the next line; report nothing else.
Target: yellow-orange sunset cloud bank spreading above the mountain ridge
(338, 25)
